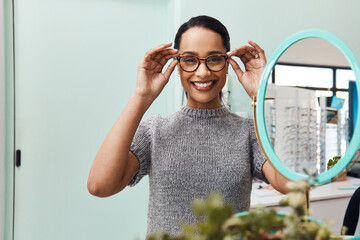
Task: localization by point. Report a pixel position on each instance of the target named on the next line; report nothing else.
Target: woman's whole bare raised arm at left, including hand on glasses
(114, 164)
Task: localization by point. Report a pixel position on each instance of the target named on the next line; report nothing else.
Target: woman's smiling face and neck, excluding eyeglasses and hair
(203, 85)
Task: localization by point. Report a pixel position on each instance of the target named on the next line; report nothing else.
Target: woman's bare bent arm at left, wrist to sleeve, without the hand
(114, 165)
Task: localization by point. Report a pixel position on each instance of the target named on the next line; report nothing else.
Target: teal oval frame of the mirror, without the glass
(260, 120)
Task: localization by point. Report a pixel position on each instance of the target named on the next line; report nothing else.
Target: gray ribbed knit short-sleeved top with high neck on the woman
(189, 154)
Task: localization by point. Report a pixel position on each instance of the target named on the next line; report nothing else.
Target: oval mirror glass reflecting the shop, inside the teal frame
(309, 107)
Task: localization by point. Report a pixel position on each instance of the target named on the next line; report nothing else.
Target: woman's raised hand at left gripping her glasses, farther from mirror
(150, 79)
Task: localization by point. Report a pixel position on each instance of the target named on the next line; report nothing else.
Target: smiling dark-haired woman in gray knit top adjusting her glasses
(198, 149)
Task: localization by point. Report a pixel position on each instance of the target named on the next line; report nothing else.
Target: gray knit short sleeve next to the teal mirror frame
(257, 157)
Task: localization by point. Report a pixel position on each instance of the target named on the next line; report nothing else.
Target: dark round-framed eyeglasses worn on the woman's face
(214, 63)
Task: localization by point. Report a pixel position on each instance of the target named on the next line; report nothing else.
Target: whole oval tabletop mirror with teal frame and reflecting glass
(302, 120)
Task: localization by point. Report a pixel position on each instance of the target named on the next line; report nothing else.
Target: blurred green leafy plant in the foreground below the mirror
(216, 220)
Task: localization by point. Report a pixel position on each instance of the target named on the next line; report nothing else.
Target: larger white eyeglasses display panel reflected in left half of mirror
(293, 127)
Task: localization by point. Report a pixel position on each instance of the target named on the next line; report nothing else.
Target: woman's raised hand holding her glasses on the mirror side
(254, 60)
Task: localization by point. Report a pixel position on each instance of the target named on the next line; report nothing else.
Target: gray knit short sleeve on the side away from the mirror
(141, 148)
